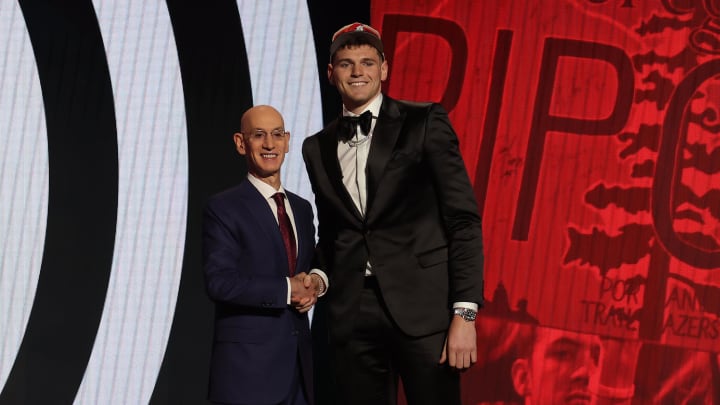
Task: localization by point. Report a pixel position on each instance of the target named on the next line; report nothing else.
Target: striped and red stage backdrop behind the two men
(589, 129)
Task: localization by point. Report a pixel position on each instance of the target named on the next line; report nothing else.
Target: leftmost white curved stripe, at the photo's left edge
(24, 175)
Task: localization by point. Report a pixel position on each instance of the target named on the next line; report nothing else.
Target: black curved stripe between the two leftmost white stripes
(82, 202)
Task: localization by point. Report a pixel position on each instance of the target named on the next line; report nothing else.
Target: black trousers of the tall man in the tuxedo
(369, 364)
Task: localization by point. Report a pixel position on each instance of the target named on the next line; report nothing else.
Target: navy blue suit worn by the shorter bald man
(259, 339)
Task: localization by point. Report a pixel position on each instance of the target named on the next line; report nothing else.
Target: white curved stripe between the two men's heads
(283, 70)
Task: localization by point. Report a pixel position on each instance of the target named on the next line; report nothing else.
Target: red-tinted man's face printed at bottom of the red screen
(560, 368)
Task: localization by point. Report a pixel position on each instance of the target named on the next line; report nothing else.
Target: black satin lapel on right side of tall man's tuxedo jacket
(384, 137)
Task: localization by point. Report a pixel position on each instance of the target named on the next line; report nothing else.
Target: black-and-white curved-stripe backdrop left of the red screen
(140, 101)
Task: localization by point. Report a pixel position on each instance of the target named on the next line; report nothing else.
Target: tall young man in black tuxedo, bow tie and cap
(399, 237)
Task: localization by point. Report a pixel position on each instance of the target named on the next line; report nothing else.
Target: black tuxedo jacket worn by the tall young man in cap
(421, 232)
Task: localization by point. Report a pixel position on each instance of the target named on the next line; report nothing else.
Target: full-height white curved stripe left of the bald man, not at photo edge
(152, 203)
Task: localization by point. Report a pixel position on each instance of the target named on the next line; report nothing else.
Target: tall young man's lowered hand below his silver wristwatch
(460, 349)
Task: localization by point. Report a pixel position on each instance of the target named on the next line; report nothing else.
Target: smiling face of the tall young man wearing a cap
(358, 73)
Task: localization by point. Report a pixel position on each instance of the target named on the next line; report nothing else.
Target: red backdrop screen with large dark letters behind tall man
(590, 132)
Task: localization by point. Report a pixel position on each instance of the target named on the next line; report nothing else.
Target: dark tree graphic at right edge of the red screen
(674, 198)
